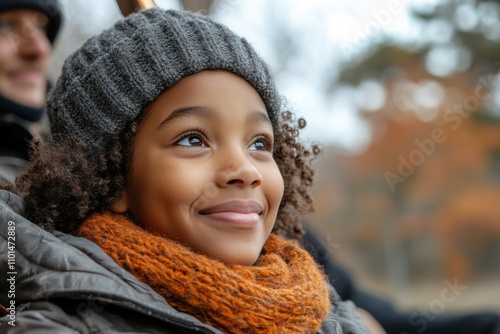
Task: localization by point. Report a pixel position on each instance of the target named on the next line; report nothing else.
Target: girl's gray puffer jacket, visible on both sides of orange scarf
(59, 283)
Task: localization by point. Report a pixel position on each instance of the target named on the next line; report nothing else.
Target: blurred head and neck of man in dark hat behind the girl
(28, 29)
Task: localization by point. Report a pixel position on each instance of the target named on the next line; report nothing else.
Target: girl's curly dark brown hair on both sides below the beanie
(66, 182)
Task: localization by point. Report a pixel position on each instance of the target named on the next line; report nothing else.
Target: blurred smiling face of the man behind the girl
(24, 56)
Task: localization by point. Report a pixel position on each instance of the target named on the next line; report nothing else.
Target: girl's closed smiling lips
(242, 214)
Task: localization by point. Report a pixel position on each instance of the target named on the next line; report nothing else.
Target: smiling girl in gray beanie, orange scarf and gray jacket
(169, 185)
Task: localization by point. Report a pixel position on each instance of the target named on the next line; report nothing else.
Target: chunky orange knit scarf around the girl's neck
(284, 292)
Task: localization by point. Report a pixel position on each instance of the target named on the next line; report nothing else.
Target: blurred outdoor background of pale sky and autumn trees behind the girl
(404, 97)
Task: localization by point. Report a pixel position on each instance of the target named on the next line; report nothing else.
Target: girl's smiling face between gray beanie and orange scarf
(202, 169)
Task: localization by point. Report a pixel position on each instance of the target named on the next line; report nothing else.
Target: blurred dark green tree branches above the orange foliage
(458, 39)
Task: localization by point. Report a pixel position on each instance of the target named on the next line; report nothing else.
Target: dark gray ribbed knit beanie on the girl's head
(109, 81)
